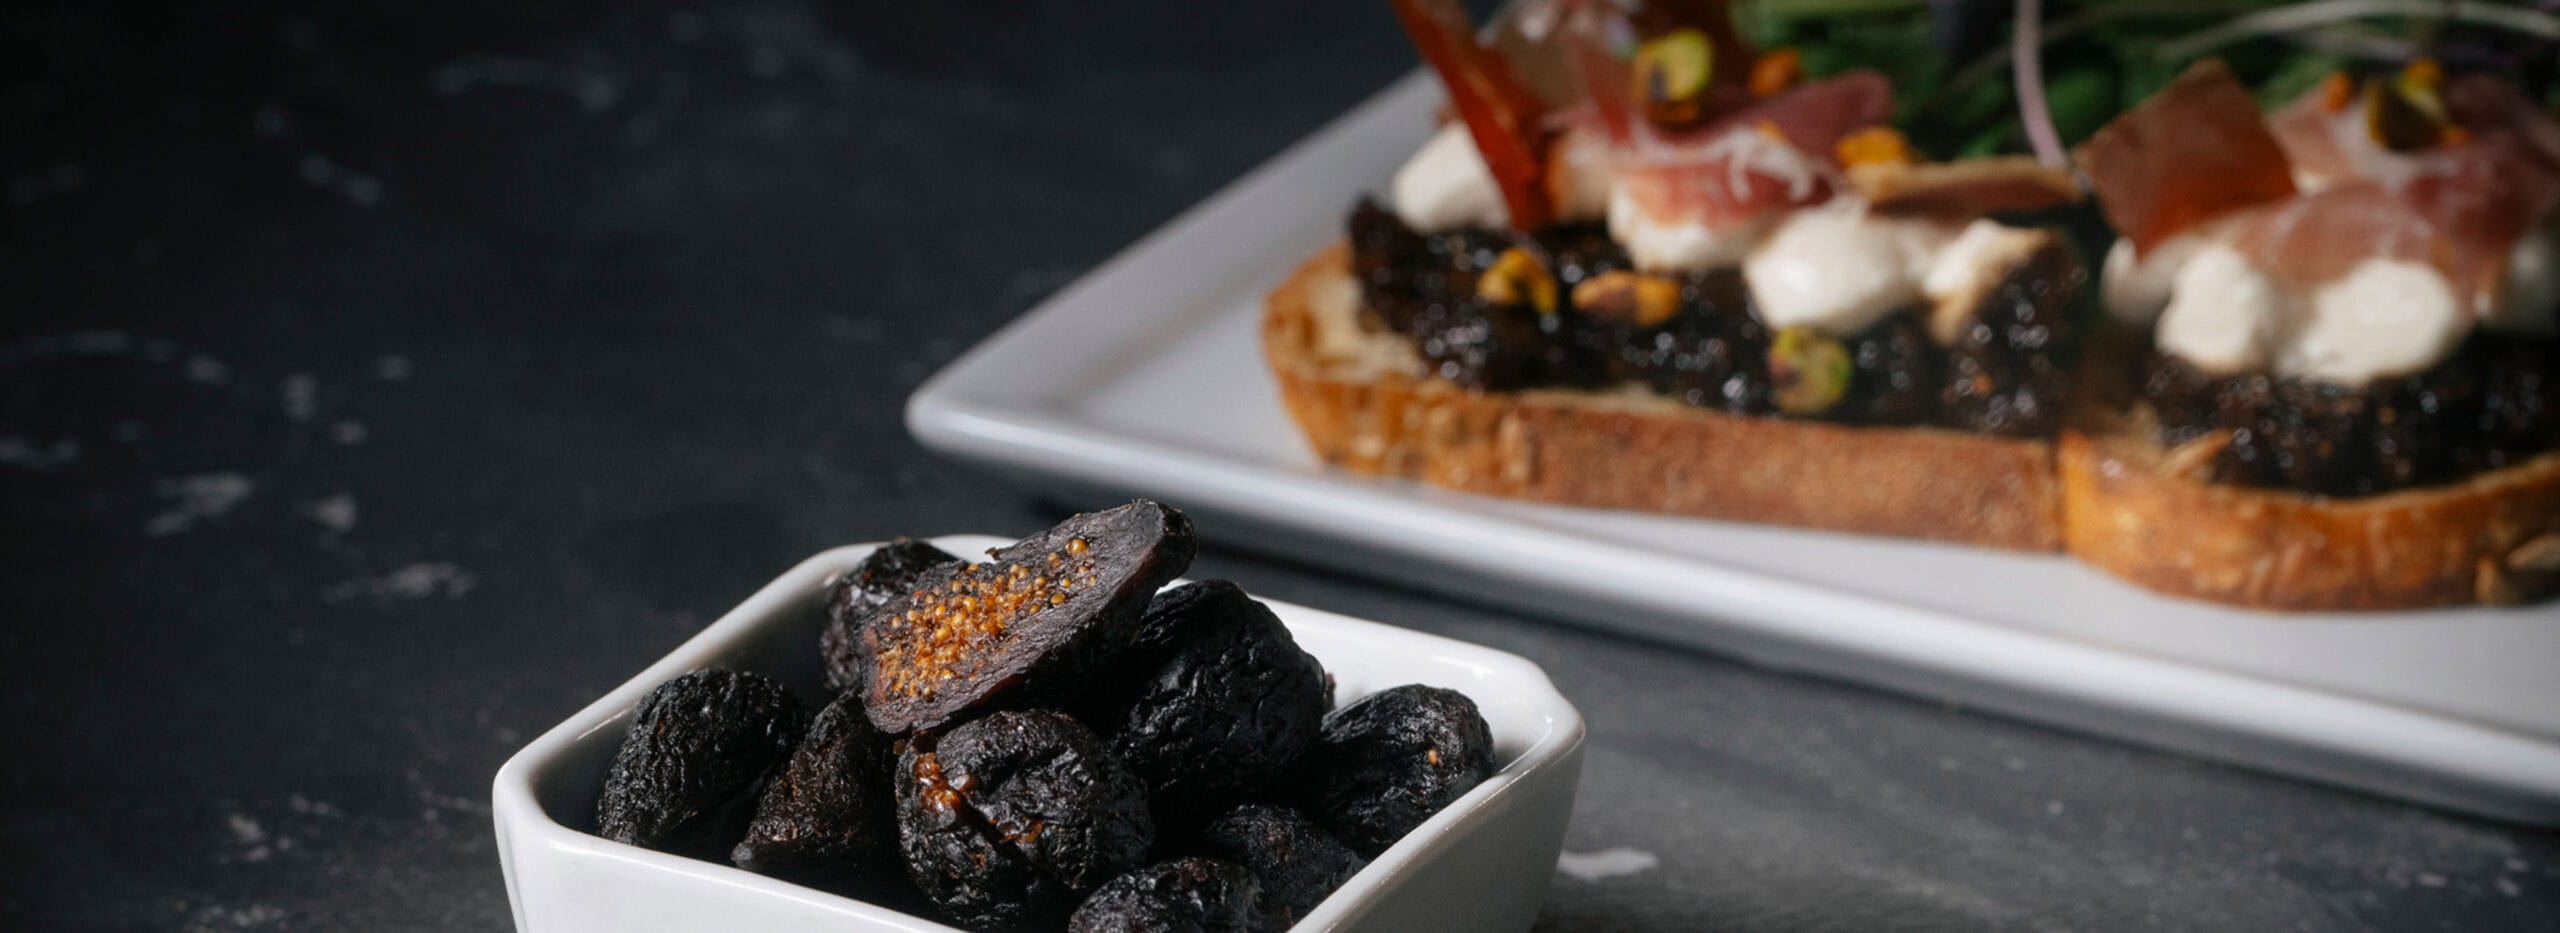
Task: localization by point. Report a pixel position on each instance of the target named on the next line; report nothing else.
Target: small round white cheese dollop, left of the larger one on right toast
(2223, 314)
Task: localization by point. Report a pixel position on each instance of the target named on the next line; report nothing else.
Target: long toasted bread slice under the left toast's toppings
(1366, 404)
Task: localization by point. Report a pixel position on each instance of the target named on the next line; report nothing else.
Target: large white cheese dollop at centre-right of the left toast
(1839, 270)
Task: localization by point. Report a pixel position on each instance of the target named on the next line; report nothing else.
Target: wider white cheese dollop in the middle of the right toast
(2382, 319)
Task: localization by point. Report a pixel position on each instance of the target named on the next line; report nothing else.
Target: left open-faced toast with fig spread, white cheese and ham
(1655, 268)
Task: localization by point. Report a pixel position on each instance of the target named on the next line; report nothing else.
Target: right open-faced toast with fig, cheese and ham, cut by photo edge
(2351, 383)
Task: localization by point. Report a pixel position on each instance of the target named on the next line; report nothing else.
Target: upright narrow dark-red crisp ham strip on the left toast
(1504, 117)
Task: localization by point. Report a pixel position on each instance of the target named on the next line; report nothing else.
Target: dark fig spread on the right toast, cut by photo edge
(2492, 404)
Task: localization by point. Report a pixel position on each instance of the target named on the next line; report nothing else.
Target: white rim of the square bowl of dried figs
(524, 822)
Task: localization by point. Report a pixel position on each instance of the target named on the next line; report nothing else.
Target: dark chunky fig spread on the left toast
(2006, 373)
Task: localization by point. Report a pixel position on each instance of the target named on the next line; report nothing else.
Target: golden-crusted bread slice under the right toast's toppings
(2147, 514)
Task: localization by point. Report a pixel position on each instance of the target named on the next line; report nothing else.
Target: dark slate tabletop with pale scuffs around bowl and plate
(388, 383)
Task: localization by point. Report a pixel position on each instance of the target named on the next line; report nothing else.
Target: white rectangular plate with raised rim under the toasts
(1148, 378)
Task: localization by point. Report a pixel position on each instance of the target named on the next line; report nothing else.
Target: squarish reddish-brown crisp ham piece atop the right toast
(2193, 153)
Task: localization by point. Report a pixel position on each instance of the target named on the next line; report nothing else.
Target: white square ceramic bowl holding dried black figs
(1478, 865)
